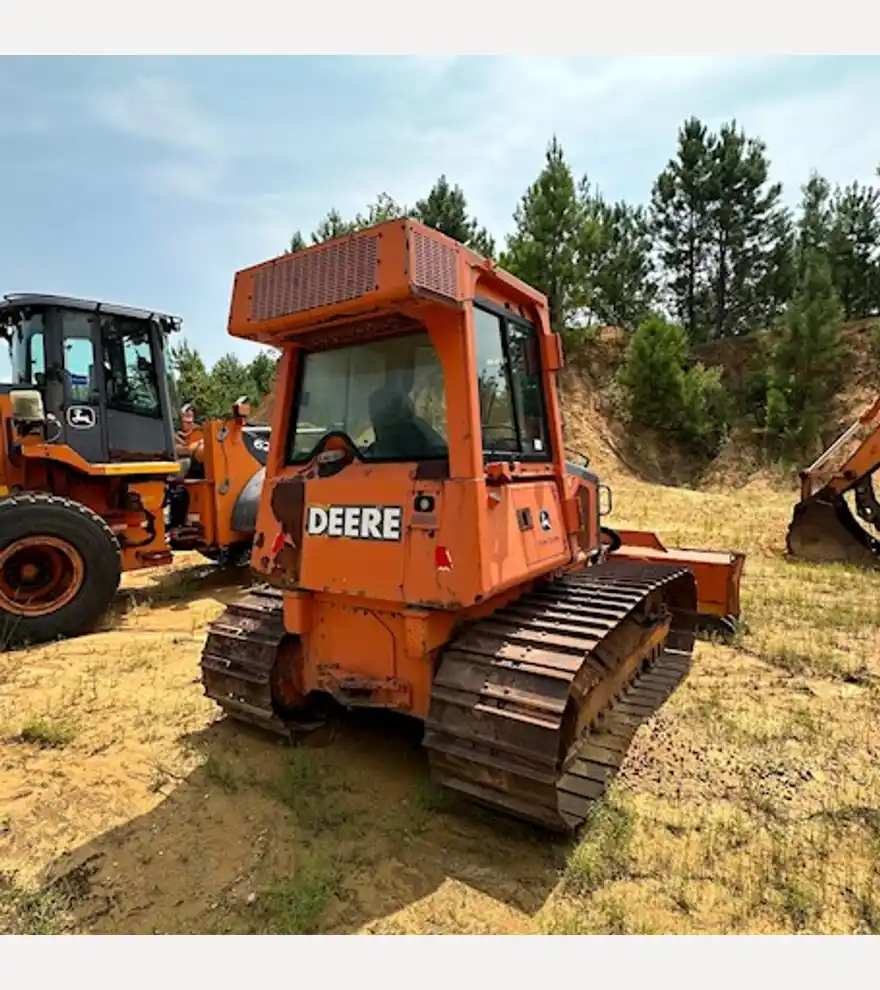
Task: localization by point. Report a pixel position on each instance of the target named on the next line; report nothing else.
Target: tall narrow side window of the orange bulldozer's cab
(509, 382)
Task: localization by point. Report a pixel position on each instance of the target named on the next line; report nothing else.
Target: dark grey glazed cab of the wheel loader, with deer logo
(101, 371)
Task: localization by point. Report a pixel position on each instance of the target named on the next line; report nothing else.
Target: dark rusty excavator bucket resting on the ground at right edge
(823, 530)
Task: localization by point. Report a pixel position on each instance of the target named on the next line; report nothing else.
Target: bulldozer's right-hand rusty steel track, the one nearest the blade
(511, 688)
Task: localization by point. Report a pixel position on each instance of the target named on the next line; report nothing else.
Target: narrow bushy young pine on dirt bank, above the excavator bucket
(805, 362)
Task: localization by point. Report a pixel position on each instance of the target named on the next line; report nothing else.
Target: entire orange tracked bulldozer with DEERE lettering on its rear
(425, 546)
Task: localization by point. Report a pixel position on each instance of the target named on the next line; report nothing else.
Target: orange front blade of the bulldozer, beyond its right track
(717, 573)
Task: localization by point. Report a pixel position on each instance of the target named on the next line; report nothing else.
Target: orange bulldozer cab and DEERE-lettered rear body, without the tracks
(420, 437)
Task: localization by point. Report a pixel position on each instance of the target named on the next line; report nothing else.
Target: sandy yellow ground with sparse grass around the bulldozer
(749, 803)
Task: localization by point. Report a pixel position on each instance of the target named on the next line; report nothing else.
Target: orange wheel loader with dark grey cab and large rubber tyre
(89, 468)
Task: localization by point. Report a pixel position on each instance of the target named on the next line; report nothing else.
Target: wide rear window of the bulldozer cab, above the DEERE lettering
(386, 395)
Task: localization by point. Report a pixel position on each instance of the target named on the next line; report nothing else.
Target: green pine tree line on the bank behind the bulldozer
(714, 252)
